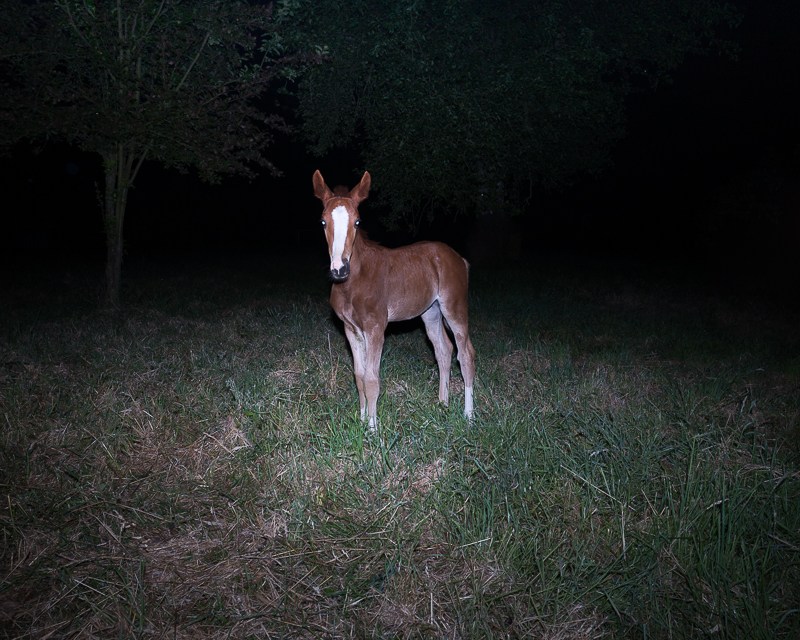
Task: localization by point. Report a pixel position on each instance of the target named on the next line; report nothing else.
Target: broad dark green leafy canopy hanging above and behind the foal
(466, 106)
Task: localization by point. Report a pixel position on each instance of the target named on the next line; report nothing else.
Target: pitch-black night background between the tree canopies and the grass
(721, 133)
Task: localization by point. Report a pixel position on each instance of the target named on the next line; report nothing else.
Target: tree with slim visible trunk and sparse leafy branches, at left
(176, 81)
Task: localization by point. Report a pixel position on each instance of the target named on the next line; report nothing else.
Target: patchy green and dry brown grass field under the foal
(196, 468)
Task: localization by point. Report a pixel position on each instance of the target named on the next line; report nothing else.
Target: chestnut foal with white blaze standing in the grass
(373, 285)
